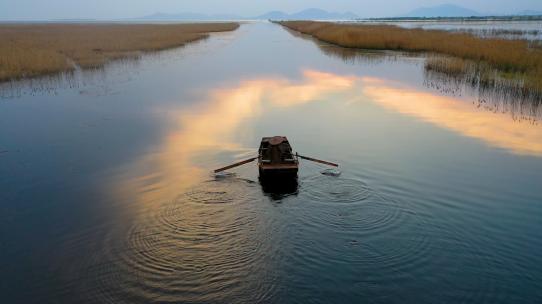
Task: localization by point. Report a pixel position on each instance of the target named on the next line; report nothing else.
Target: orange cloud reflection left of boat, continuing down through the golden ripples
(200, 230)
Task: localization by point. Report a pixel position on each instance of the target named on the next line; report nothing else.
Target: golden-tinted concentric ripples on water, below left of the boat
(209, 245)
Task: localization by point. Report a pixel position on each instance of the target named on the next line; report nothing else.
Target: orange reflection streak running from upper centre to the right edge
(495, 129)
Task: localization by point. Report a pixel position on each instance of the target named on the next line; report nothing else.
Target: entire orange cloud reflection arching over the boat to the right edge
(211, 126)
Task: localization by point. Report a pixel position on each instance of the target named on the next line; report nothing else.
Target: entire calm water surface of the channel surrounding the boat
(106, 195)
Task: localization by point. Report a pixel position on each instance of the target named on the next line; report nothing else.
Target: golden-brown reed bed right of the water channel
(493, 61)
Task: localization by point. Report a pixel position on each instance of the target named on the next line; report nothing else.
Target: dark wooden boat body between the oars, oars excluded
(276, 159)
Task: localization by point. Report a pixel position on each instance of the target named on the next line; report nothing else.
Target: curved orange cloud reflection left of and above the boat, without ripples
(211, 125)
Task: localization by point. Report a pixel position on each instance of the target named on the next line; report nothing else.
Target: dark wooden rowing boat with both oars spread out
(276, 160)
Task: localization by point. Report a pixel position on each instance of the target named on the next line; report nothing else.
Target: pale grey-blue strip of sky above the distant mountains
(113, 9)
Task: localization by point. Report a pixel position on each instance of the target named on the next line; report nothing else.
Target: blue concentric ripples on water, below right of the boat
(384, 240)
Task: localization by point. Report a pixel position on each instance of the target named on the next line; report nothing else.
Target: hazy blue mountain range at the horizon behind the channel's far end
(308, 14)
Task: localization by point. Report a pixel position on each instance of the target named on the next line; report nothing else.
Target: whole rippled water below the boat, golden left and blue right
(216, 243)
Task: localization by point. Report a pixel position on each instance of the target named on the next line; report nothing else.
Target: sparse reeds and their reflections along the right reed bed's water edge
(497, 98)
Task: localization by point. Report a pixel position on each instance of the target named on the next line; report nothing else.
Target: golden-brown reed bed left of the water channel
(28, 50)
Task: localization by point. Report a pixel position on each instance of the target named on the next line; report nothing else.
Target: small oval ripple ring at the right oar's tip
(331, 189)
